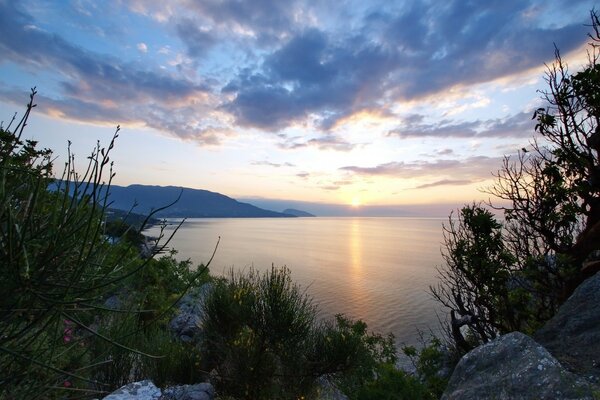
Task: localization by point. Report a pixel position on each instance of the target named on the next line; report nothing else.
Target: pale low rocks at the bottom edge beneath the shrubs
(146, 390)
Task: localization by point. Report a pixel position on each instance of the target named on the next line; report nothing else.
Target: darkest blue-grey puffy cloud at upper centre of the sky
(308, 74)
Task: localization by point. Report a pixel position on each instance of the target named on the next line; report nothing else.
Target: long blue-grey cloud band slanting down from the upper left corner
(101, 88)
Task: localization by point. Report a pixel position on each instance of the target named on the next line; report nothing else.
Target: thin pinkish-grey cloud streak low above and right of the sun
(478, 167)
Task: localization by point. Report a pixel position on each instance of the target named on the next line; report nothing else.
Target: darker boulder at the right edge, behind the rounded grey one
(573, 334)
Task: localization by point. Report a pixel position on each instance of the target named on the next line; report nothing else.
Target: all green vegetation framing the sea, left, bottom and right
(86, 313)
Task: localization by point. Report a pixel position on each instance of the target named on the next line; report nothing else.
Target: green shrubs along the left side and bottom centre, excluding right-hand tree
(90, 314)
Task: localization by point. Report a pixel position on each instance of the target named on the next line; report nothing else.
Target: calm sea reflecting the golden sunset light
(375, 269)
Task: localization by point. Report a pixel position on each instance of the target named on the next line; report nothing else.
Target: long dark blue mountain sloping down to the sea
(193, 203)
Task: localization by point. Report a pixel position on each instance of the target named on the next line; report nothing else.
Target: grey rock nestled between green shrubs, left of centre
(187, 323)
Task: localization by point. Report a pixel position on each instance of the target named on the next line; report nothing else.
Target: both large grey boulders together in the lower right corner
(562, 364)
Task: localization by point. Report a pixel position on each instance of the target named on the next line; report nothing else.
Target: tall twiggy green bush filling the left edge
(58, 267)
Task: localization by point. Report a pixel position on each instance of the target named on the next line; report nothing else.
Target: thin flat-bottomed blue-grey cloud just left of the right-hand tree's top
(518, 125)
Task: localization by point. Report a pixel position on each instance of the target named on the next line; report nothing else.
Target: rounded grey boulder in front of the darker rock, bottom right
(514, 366)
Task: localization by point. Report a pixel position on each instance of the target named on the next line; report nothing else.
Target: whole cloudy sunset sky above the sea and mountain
(382, 104)
